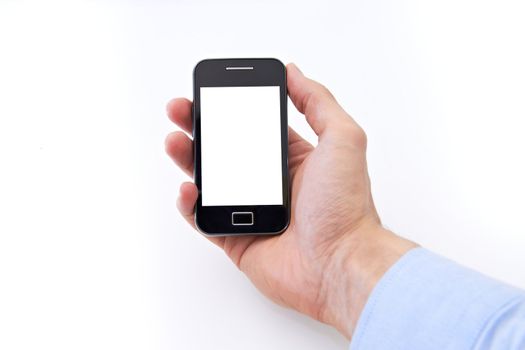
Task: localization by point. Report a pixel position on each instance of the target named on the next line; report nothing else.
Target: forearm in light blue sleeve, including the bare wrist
(386, 295)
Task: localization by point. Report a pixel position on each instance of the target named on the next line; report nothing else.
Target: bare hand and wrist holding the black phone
(335, 250)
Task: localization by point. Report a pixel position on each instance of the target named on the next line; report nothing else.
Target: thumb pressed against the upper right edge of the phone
(314, 101)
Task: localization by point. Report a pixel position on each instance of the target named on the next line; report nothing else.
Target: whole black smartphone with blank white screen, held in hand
(240, 132)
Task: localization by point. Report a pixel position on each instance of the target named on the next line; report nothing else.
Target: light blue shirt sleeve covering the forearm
(428, 302)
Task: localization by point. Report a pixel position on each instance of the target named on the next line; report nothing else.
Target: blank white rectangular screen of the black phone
(241, 146)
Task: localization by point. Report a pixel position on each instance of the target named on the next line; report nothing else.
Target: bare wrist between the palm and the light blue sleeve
(356, 266)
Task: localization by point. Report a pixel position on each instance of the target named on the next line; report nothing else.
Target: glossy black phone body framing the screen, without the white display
(220, 220)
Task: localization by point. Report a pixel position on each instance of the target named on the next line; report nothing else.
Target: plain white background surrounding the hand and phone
(92, 251)
